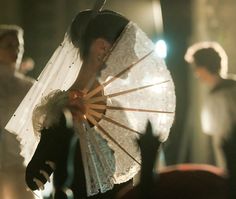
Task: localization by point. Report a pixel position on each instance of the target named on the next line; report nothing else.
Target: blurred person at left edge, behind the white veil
(12, 90)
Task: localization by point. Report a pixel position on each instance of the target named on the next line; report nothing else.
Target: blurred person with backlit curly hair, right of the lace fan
(218, 117)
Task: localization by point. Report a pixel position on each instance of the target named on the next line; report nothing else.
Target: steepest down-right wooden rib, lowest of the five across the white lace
(94, 122)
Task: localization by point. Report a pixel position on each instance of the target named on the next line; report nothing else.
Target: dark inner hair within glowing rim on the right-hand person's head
(208, 58)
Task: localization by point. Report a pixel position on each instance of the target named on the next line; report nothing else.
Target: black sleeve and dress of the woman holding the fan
(54, 146)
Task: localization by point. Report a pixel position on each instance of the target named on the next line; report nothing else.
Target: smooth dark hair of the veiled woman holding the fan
(88, 26)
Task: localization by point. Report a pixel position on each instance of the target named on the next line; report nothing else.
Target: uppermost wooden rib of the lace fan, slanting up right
(99, 88)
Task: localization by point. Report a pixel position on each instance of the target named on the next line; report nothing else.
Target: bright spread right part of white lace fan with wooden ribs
(137, 87)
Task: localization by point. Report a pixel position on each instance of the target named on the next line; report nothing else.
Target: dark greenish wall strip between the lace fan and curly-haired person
(177, 31)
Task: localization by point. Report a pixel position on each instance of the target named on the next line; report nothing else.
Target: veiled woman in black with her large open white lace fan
(105, 70)
